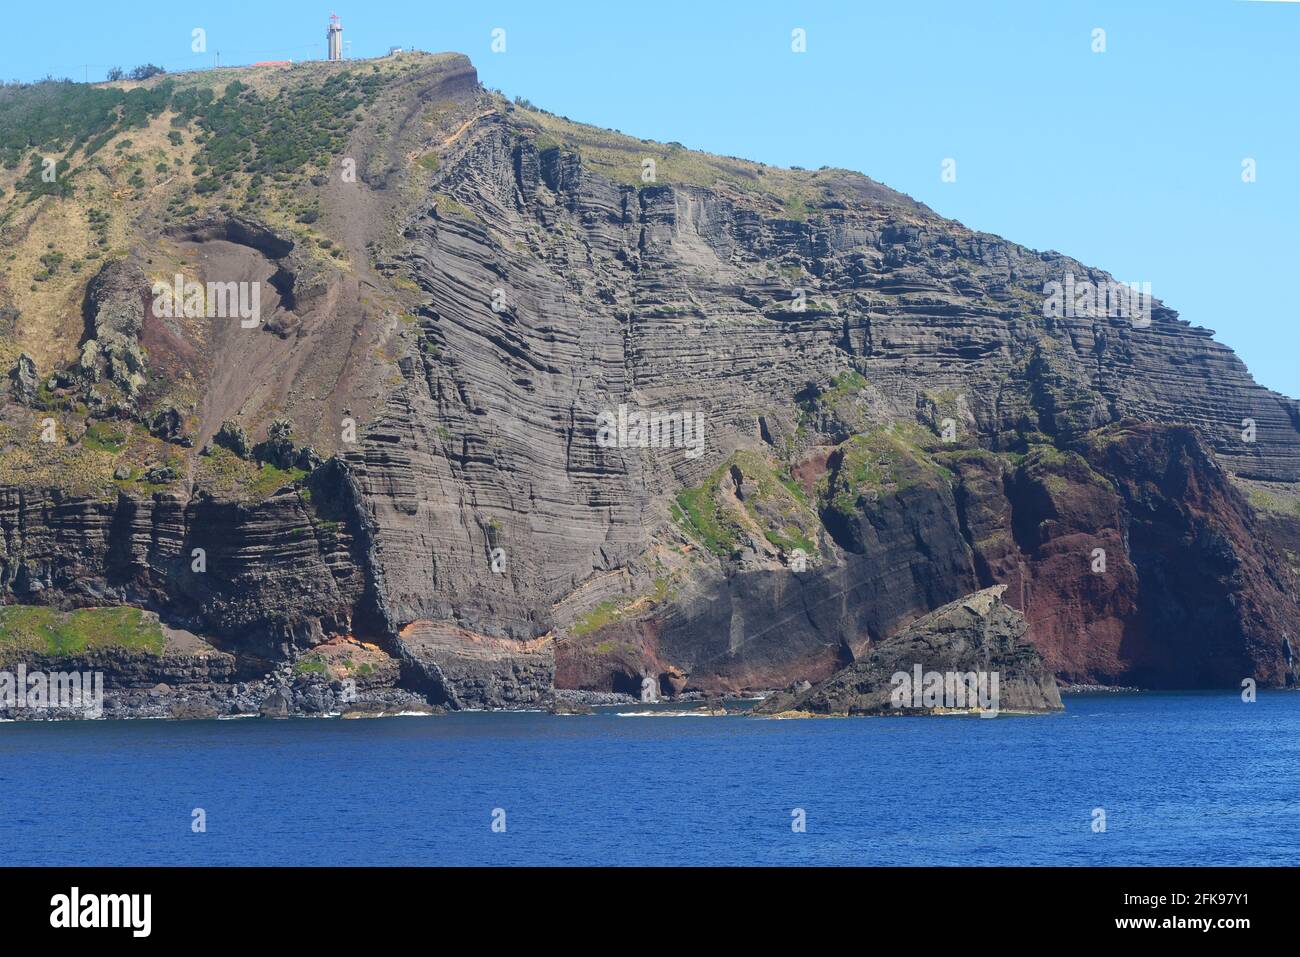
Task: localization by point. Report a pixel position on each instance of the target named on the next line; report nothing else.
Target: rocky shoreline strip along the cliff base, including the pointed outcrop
(192, 679)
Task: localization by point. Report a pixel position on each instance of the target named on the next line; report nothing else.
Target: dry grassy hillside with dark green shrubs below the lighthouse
(254, 140)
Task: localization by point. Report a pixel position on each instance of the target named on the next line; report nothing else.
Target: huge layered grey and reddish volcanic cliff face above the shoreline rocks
(866, 413)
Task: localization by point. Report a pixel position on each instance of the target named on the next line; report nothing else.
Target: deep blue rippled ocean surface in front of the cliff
(1184, 780)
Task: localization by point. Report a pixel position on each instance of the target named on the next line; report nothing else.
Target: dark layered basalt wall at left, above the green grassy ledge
(266, 590)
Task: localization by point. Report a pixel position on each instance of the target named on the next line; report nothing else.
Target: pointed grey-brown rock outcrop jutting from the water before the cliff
(978, 640)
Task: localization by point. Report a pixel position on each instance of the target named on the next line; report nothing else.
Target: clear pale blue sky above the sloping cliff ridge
(1129, 161)
